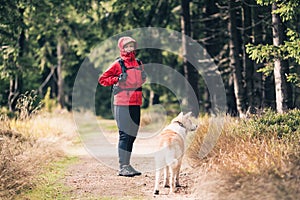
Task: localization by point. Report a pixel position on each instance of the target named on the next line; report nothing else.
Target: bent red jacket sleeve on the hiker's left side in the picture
(111, 75)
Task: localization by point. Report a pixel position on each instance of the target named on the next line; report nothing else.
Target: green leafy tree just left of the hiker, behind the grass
(62, 42)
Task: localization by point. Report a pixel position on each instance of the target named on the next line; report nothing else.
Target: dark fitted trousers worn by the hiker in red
(128, 121)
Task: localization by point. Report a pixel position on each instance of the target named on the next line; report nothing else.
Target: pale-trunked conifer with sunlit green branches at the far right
(278, 54)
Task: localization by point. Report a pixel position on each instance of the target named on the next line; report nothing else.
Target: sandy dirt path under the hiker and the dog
(95, 178)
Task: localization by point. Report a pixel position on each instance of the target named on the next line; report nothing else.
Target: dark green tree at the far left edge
(15, 63)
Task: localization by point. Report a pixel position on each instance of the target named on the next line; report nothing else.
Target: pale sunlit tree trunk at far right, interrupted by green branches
(280, 66)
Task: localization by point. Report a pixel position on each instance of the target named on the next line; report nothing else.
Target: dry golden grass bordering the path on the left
(27, 146)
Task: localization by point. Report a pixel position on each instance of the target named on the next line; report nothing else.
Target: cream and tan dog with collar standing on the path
(171, 150)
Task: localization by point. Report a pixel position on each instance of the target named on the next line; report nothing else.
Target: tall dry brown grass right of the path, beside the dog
(247, 162)
